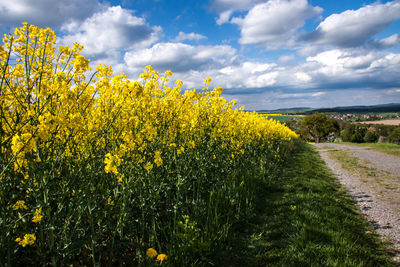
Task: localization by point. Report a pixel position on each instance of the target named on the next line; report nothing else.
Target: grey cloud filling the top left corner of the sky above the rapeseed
(45, 12)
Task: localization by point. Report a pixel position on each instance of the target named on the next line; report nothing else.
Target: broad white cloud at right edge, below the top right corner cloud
(354, 68)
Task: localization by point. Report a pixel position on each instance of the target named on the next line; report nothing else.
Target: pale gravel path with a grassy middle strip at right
(377, 195)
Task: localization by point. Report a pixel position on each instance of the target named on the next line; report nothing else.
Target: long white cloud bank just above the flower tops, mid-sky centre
(193, 63)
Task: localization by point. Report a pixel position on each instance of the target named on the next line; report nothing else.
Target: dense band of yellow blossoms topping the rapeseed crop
(53, 102)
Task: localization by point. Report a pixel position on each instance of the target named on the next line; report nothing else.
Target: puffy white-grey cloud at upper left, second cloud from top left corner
(109, 32)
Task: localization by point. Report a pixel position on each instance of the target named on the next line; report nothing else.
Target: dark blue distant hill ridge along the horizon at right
(391, 107)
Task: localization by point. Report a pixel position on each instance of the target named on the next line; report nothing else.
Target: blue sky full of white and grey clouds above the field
(266, 54)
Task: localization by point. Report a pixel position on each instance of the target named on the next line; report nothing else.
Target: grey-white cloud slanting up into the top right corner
(353, 28)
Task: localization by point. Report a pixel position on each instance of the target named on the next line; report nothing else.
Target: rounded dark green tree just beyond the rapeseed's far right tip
(317, 126)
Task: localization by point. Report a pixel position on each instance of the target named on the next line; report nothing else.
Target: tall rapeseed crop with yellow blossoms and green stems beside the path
(97, 168)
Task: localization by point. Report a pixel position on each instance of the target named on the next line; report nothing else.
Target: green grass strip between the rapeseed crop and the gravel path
(324, 229)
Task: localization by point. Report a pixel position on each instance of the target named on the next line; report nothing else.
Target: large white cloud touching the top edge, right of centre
(274, 24)
